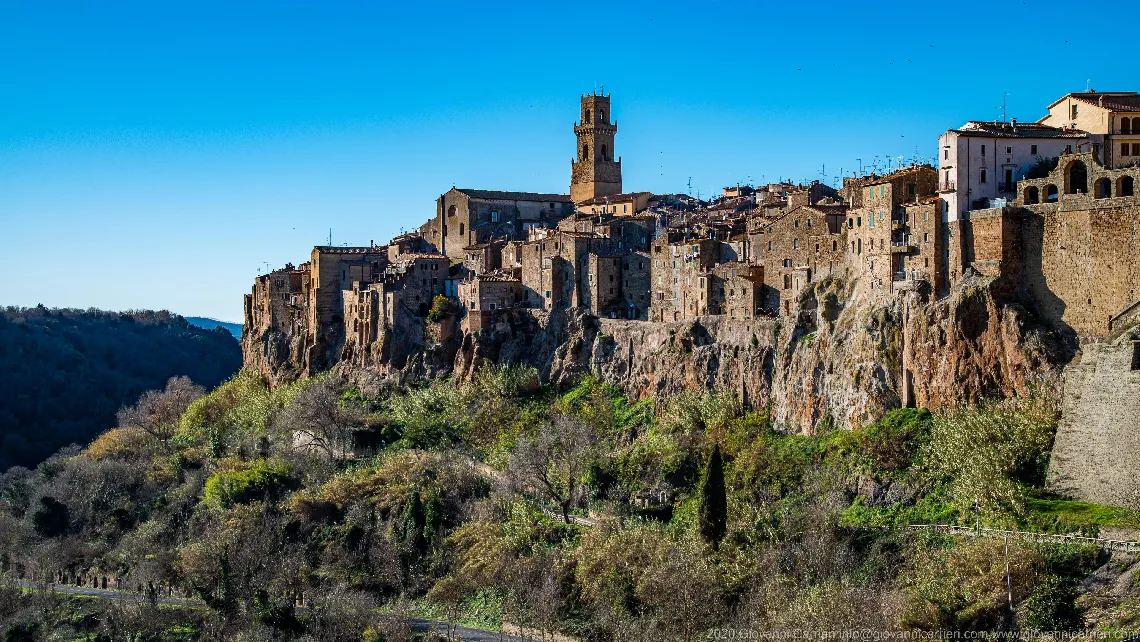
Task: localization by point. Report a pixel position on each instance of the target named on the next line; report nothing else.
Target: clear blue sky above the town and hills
(159, 155)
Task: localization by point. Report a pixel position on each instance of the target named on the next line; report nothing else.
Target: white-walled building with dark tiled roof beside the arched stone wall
(981, 162)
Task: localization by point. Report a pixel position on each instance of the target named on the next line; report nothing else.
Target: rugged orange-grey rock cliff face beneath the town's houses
(837, 361)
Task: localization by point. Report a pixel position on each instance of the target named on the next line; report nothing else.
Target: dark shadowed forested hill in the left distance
(64, 373)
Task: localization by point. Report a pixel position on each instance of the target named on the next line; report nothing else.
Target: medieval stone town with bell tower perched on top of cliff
(1049, 206)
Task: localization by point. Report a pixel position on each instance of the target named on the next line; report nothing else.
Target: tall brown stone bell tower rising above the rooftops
(596, 173)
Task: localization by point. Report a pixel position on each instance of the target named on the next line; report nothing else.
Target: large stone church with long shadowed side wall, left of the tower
(467, 218)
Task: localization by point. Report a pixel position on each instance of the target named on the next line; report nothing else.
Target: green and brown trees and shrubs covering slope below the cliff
(338, 509)
